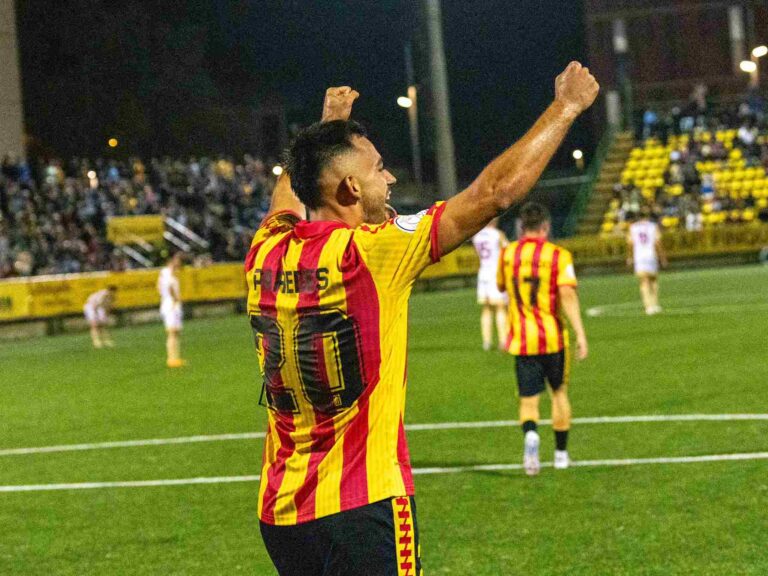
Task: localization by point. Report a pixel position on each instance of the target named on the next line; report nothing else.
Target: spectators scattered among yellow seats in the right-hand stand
(696, 165)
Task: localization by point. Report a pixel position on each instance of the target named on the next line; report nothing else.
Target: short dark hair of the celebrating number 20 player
(310, 153)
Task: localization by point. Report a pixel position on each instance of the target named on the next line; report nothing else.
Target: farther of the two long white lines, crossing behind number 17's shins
(409, 427)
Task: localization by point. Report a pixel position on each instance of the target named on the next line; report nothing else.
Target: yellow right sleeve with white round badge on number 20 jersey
(397, 251)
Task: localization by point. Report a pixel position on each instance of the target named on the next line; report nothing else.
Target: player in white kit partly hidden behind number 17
(489, 243)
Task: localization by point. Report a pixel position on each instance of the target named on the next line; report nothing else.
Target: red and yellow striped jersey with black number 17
(531, 270)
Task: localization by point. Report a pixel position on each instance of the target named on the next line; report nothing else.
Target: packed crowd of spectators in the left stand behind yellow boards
(53, 216)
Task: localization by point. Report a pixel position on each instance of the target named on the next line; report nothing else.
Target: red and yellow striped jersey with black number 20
(329, 309)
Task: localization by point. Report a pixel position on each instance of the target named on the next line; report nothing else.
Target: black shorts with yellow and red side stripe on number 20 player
(380, 539)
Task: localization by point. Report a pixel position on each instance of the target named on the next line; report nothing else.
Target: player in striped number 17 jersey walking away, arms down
(540, 279)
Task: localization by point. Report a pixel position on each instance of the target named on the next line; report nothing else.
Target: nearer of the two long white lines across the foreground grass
(419, 471)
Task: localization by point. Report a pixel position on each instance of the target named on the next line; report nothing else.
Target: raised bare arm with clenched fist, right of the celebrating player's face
(510, 177)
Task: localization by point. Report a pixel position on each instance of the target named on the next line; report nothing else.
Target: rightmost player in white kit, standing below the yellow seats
(646, 253)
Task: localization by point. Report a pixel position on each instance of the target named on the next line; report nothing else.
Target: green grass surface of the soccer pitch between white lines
(706, 354)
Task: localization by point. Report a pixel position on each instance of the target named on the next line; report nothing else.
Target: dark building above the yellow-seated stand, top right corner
(657, 50)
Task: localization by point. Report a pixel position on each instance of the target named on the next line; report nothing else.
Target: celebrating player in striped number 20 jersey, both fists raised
(328, 303)
